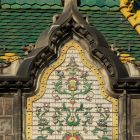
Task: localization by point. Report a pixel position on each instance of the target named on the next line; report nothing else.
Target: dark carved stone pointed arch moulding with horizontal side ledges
(67, 26)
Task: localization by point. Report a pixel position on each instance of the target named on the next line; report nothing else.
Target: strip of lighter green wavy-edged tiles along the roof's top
(45, 3)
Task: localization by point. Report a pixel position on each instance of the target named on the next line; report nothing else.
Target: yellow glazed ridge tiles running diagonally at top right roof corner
(133, 16)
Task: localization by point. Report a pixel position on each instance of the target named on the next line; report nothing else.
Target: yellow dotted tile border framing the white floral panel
(42, 88)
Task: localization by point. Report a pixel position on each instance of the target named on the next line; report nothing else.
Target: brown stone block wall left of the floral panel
(10, 118)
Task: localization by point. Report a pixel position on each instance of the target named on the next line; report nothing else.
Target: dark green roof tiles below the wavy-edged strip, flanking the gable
(28, 24)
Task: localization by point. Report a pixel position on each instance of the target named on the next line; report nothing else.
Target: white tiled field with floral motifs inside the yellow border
(70, 108)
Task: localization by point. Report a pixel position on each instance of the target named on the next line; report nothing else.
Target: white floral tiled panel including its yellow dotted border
(71, 102)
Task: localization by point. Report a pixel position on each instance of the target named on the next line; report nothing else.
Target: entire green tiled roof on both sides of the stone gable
(20, 27)
